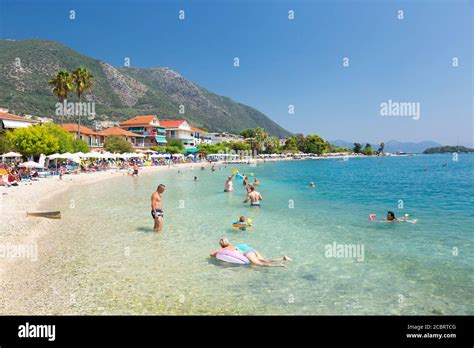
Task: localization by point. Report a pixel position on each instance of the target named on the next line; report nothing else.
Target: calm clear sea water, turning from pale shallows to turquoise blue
(107, 260)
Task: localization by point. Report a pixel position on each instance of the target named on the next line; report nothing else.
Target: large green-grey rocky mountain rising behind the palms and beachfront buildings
(119, 93)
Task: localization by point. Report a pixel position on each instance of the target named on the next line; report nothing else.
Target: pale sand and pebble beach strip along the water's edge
(19, 231)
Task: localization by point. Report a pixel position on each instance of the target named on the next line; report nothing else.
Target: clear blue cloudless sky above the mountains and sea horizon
(283, 61)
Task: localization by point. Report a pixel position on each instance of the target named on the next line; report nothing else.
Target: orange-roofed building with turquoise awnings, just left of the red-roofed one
(149, 128)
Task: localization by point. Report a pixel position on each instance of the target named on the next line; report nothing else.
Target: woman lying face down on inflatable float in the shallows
(243, 255)
